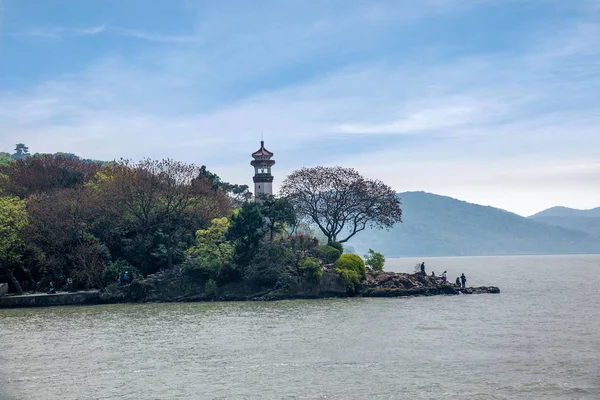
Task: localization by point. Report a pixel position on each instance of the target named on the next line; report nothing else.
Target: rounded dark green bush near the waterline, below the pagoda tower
(271, 264)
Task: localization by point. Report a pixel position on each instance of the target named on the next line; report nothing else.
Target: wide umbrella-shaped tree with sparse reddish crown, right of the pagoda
(340, 201)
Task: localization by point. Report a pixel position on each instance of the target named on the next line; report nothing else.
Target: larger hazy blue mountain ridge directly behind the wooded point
(436, 225)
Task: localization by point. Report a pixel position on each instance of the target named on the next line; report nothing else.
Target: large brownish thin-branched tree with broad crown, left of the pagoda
(162, 199)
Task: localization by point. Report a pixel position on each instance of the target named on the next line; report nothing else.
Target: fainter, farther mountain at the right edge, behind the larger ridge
(582, 220)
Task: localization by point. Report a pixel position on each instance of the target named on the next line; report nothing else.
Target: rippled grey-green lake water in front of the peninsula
(538, 339)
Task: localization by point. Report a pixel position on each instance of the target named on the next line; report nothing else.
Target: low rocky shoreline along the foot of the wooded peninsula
(174, 286)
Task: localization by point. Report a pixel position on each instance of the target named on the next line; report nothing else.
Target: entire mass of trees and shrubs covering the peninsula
(163, 230)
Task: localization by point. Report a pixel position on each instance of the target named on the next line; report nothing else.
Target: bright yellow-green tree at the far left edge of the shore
(13, 219)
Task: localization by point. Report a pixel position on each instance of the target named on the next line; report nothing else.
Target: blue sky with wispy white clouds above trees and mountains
(491, 102)
